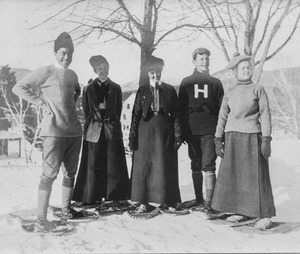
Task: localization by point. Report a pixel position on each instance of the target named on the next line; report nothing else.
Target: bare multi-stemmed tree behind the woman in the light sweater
(251, 27)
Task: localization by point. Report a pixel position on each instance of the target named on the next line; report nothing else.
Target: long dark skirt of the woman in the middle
(155, 163)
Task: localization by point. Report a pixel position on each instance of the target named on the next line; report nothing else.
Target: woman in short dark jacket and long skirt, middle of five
(154, 138)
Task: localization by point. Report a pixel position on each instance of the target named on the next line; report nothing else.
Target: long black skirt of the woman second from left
(102, 172)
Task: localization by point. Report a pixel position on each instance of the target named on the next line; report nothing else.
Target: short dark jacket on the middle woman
(142, 107)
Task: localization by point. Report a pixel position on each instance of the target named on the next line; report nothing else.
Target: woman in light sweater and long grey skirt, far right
(243, 186)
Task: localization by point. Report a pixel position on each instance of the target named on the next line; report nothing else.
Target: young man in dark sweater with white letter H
(200, 97)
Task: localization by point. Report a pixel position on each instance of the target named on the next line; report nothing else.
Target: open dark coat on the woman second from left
(111, 120)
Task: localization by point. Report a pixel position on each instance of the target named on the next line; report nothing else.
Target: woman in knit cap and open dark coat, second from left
(103, 171)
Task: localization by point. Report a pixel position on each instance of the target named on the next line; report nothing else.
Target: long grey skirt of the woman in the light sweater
(243, 184)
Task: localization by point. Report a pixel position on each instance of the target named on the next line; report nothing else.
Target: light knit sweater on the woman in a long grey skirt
(245, 108)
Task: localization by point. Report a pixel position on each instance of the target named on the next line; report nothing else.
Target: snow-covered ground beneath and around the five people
(120, 233)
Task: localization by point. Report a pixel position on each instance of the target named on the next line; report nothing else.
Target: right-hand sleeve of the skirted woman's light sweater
(264, 111)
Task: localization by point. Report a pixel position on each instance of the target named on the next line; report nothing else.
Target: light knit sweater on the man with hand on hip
(58, 89)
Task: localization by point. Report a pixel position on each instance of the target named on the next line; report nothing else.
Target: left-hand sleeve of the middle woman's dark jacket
(136, 116)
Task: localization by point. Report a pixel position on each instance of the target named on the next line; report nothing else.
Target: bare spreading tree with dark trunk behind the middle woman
(147, 28)
